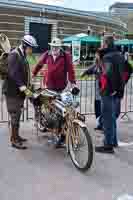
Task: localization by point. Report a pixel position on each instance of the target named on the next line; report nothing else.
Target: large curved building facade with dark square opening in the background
(45, 22)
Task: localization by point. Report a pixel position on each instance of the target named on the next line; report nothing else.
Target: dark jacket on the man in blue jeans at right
(110, 80)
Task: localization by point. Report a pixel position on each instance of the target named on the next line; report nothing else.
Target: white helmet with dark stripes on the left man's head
(30, 41)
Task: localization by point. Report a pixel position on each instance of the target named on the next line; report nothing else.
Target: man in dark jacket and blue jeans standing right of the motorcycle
(112, 81)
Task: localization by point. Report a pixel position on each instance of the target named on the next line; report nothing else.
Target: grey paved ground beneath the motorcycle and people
(42, 173)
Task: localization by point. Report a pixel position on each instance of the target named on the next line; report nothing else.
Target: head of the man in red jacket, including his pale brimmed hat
(55, 46)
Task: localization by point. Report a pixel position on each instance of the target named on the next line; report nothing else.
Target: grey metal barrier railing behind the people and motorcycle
(86, 98)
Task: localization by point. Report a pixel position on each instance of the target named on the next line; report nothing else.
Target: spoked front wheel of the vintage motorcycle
(81, 148)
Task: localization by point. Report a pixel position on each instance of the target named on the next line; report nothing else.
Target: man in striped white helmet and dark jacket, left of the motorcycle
(16, 86)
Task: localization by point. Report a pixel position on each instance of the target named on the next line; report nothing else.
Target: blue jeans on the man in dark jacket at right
(110, 113)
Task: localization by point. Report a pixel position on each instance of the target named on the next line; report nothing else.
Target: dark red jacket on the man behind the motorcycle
(56, 78)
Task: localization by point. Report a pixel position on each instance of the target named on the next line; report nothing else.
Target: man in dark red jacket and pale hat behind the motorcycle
(60, 70)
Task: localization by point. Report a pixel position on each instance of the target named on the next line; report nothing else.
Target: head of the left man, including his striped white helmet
(28, 43)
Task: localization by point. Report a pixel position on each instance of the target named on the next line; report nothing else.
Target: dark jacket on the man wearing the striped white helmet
(18, 74)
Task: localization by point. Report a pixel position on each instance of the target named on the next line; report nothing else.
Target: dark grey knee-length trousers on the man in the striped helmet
(14, 107)
